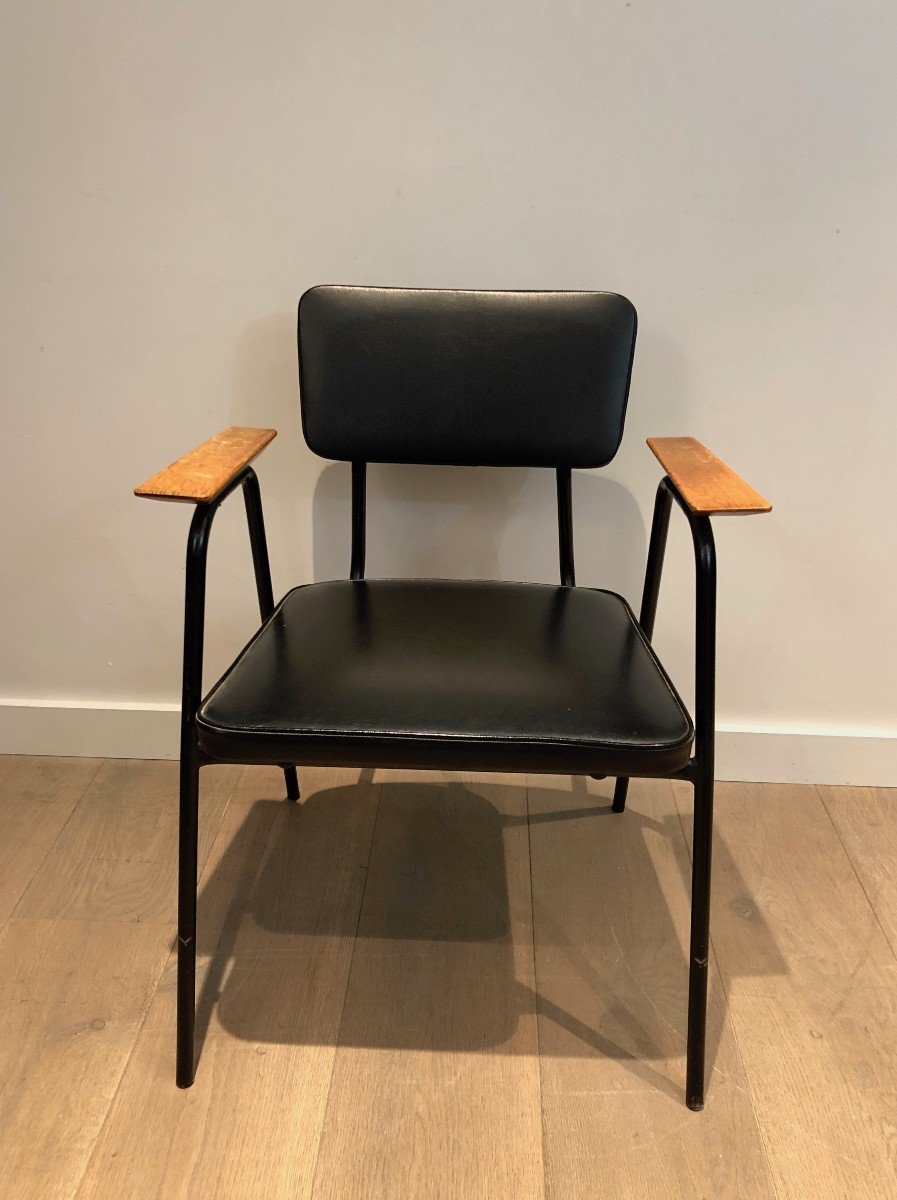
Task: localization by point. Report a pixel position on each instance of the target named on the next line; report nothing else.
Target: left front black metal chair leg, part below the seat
(188, 916)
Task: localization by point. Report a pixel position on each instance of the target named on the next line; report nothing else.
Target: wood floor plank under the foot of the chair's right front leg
(611, 913)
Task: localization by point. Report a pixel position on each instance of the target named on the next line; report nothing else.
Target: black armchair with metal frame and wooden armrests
(432, 674)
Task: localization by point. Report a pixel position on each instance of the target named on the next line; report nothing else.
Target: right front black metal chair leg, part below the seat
(700, 951)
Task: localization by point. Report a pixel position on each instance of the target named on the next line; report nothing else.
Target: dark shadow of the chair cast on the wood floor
(400, 916)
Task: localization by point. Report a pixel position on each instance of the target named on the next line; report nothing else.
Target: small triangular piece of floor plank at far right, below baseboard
(866, 820)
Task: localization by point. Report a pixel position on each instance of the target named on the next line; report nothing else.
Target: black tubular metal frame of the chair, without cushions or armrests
(700, 770)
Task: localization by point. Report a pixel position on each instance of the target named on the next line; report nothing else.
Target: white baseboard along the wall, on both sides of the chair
(103, 730)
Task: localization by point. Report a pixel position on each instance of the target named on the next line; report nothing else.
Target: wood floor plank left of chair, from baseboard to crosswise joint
(118, 860)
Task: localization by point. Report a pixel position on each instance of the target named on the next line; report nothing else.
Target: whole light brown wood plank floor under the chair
(442, 987)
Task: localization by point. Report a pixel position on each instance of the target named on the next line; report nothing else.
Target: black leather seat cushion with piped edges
(466, 676)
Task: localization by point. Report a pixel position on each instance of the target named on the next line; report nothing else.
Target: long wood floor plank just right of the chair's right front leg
(812, 992)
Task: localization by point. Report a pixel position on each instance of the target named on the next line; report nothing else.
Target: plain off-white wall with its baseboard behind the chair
(178, 175)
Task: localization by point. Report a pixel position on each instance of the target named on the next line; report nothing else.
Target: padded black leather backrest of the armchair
(466, 379)
